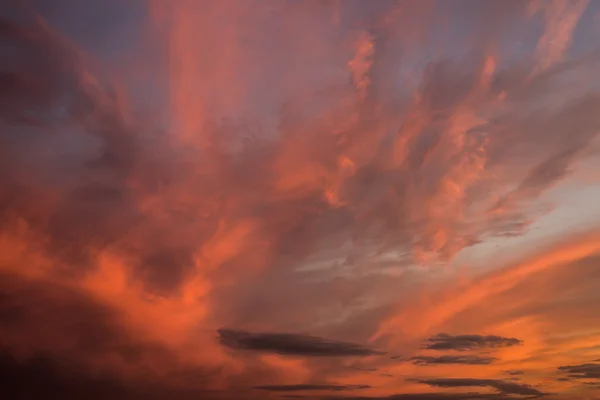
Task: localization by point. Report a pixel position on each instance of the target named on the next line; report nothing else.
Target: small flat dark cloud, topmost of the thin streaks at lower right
(444, 341)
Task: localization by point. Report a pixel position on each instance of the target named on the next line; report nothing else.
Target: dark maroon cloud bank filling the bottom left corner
(57, 342)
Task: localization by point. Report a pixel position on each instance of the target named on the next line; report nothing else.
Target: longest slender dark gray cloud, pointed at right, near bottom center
(291, 344)
